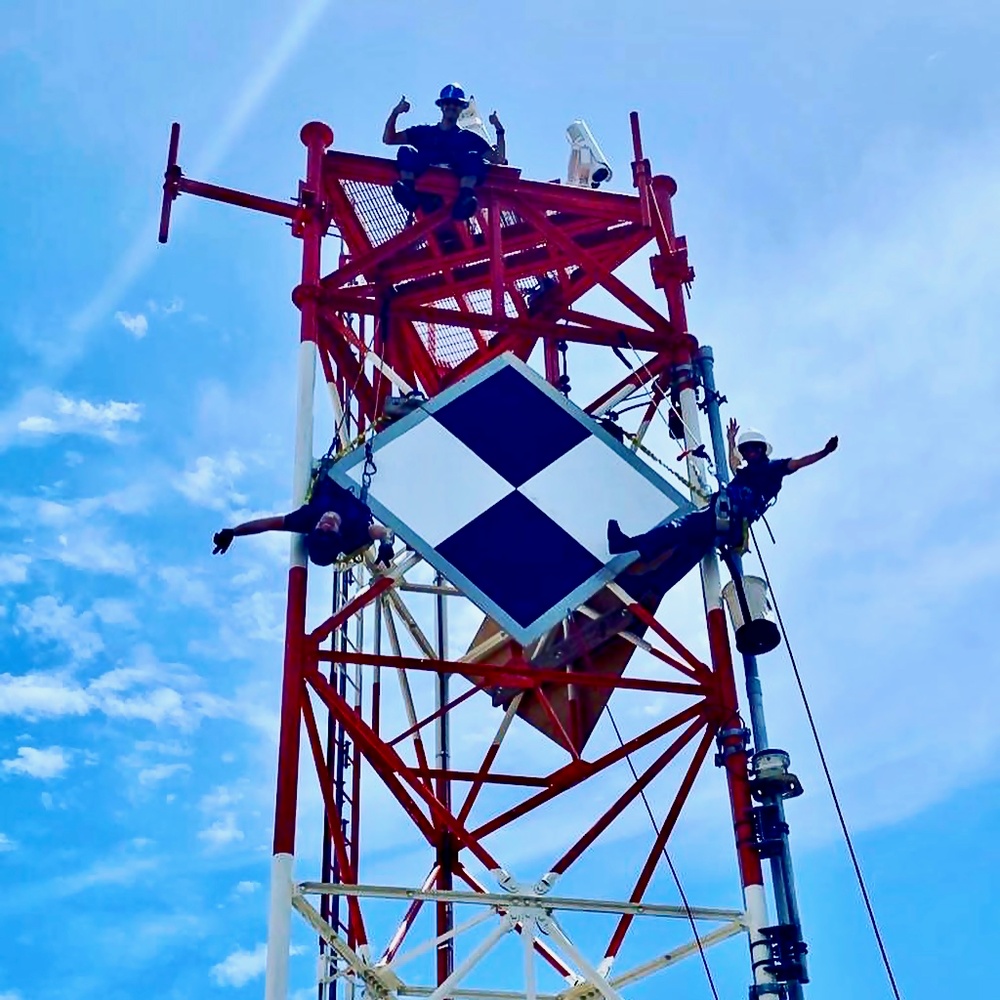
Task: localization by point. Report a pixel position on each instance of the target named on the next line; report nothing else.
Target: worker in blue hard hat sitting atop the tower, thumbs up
(445, 144)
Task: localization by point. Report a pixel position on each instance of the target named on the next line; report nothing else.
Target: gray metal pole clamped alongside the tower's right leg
(782, 876)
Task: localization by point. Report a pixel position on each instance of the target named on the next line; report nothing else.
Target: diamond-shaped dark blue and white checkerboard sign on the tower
(506, 487)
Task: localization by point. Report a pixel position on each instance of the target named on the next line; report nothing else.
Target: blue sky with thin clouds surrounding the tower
(839, 188)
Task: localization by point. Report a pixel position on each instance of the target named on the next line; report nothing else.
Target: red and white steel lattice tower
(417, 304)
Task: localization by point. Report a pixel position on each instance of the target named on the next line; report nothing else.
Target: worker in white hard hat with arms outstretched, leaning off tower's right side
(754, 487)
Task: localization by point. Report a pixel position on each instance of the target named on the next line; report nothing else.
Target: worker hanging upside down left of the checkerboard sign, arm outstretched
(334, 521)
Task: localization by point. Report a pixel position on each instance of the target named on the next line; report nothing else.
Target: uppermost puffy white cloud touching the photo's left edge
(44, 412)
